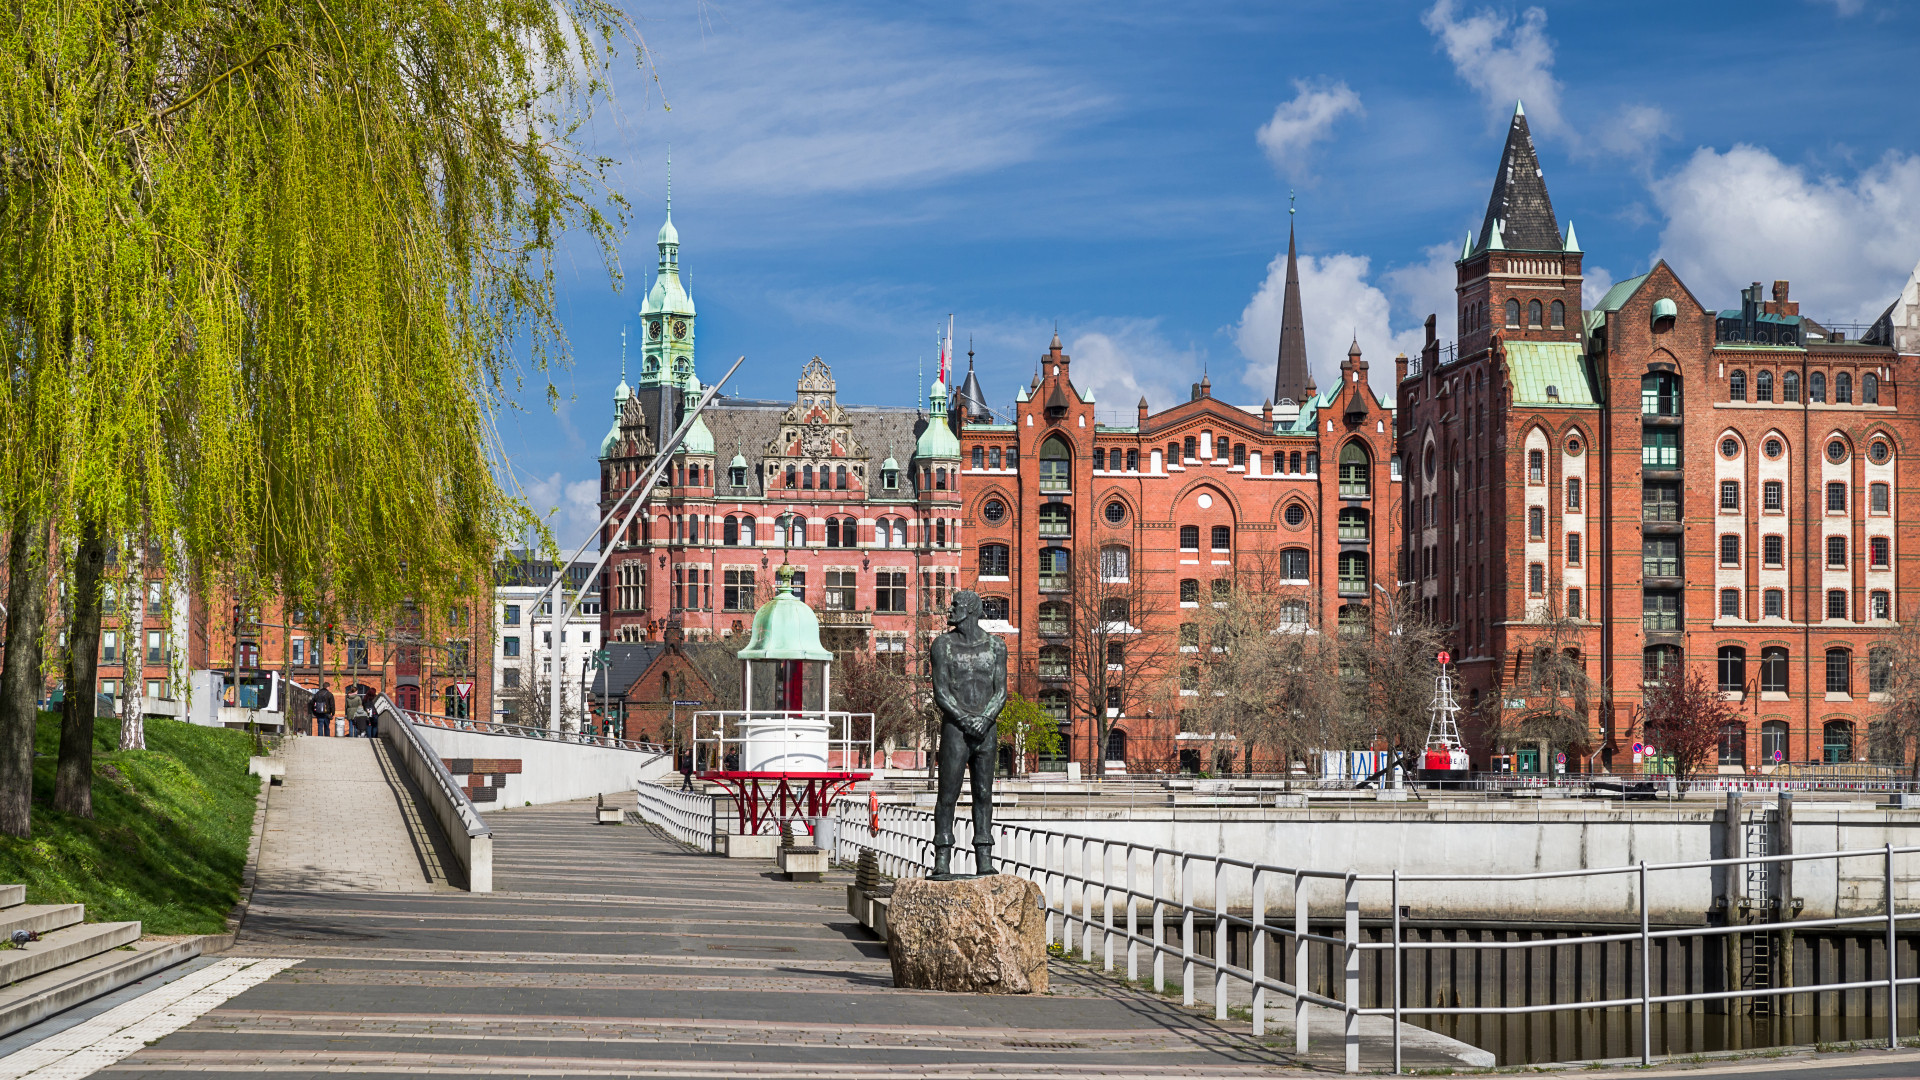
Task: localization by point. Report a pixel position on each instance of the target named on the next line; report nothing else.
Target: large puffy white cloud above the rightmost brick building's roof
(1744, 216)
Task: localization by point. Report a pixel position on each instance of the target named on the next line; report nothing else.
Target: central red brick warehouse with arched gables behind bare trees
(1193, 495)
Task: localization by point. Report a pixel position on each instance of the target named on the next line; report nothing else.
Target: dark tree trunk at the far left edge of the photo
(20, 674)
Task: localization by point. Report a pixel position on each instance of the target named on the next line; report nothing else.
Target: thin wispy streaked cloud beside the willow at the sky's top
(779, 103)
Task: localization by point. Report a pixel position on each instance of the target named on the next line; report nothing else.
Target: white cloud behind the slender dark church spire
(1339, 307)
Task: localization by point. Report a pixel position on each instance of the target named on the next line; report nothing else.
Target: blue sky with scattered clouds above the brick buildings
(846, 176)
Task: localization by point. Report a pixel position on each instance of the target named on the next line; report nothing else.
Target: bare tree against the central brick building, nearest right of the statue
(1116, 658)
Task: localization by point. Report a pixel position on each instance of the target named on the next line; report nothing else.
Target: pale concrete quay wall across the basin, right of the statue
(1495, 839)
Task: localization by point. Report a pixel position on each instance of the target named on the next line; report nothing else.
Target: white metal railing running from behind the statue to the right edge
(1088, 881)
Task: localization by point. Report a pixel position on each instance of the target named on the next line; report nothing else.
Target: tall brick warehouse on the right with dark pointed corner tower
(1669, 481)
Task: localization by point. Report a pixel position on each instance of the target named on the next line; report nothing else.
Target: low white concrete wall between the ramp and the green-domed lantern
(512, 772)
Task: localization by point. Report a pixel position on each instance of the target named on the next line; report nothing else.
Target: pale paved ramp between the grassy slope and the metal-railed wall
(345, 823)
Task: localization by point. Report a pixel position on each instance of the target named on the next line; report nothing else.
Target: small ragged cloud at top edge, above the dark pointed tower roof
(1504, 61)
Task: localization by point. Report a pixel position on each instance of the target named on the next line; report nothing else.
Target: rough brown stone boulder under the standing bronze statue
(969, 935)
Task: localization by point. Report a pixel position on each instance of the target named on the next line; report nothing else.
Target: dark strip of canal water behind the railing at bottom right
(1587, 1035)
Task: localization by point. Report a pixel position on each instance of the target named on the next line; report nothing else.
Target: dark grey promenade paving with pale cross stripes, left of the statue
(612, 952)
